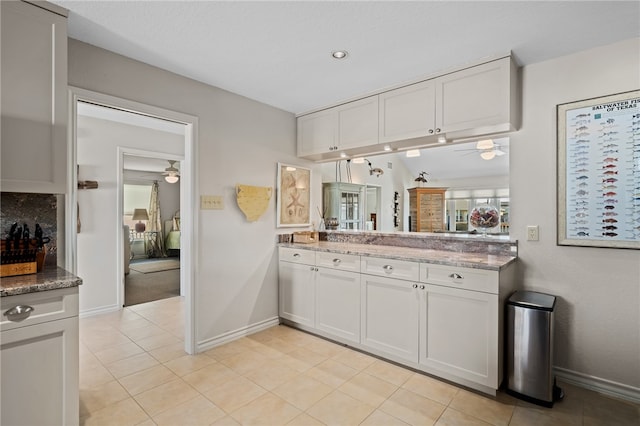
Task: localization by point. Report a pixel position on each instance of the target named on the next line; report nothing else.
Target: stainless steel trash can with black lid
(530, 347)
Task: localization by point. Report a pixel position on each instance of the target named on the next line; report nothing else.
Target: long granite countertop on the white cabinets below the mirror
(442, 257)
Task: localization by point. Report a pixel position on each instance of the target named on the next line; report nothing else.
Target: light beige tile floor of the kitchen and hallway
(133, 371)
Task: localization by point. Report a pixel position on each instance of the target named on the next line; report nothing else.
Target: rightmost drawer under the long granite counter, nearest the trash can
(458, 277)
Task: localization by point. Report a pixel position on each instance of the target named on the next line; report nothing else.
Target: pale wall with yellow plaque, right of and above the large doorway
(240, 141)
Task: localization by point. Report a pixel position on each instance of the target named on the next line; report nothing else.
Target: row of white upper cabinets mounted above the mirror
(476, 101)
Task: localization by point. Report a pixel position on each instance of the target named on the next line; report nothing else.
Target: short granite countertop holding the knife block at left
(50, 279)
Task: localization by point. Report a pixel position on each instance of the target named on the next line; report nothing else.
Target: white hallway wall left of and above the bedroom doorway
(98, 141)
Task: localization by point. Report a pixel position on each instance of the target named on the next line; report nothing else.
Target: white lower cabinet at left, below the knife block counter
(39, 359)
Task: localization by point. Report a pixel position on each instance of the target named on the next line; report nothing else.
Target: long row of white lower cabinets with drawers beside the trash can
(444, 320)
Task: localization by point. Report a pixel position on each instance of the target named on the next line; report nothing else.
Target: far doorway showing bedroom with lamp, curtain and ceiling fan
(151, 229)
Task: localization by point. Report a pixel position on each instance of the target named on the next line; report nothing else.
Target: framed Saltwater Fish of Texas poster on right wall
(599, 172)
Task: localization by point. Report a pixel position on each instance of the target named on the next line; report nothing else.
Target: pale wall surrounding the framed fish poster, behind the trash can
(598, 313)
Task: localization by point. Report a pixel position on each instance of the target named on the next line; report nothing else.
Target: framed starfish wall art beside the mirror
(293, 196)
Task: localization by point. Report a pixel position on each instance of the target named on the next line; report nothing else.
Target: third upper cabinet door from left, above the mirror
(408, 112)
